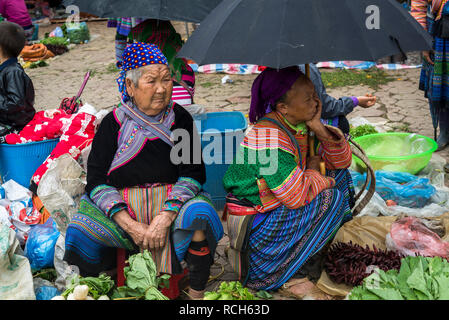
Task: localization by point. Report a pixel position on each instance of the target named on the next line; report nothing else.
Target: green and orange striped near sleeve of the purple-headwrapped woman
(295, 187)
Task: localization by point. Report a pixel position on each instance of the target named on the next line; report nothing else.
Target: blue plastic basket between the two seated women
(229, 128)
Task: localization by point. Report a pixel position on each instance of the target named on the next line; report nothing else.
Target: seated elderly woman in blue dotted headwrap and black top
(138, 194)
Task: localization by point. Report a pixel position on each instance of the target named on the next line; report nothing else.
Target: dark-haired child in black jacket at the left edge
(16, 88)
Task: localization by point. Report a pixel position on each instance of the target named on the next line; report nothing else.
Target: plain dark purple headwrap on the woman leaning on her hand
(268, 88)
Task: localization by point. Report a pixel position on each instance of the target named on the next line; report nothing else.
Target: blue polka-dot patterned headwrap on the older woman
(137, 55)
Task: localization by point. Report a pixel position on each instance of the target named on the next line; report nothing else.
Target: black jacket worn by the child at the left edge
(16, 96)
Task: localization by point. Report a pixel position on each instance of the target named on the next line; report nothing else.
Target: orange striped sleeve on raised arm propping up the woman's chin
(336, 154)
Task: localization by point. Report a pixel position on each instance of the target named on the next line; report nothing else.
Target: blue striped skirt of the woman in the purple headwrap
(282, 240)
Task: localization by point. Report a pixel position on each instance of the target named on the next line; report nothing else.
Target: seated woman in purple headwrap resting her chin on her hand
(281, 209)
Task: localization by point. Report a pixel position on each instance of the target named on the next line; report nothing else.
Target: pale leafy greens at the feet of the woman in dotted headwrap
(141, 279)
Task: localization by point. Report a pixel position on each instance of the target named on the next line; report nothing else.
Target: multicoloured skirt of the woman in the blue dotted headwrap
(92, 238)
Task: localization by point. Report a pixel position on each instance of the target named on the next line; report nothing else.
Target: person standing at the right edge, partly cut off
(433, 15)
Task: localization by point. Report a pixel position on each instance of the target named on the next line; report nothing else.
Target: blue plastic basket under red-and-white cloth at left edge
(20, 161)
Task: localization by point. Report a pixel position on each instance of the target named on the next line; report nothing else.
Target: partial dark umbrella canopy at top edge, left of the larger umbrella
(181, 10)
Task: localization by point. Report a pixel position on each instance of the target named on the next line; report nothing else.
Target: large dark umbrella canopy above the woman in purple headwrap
(281, 33)
